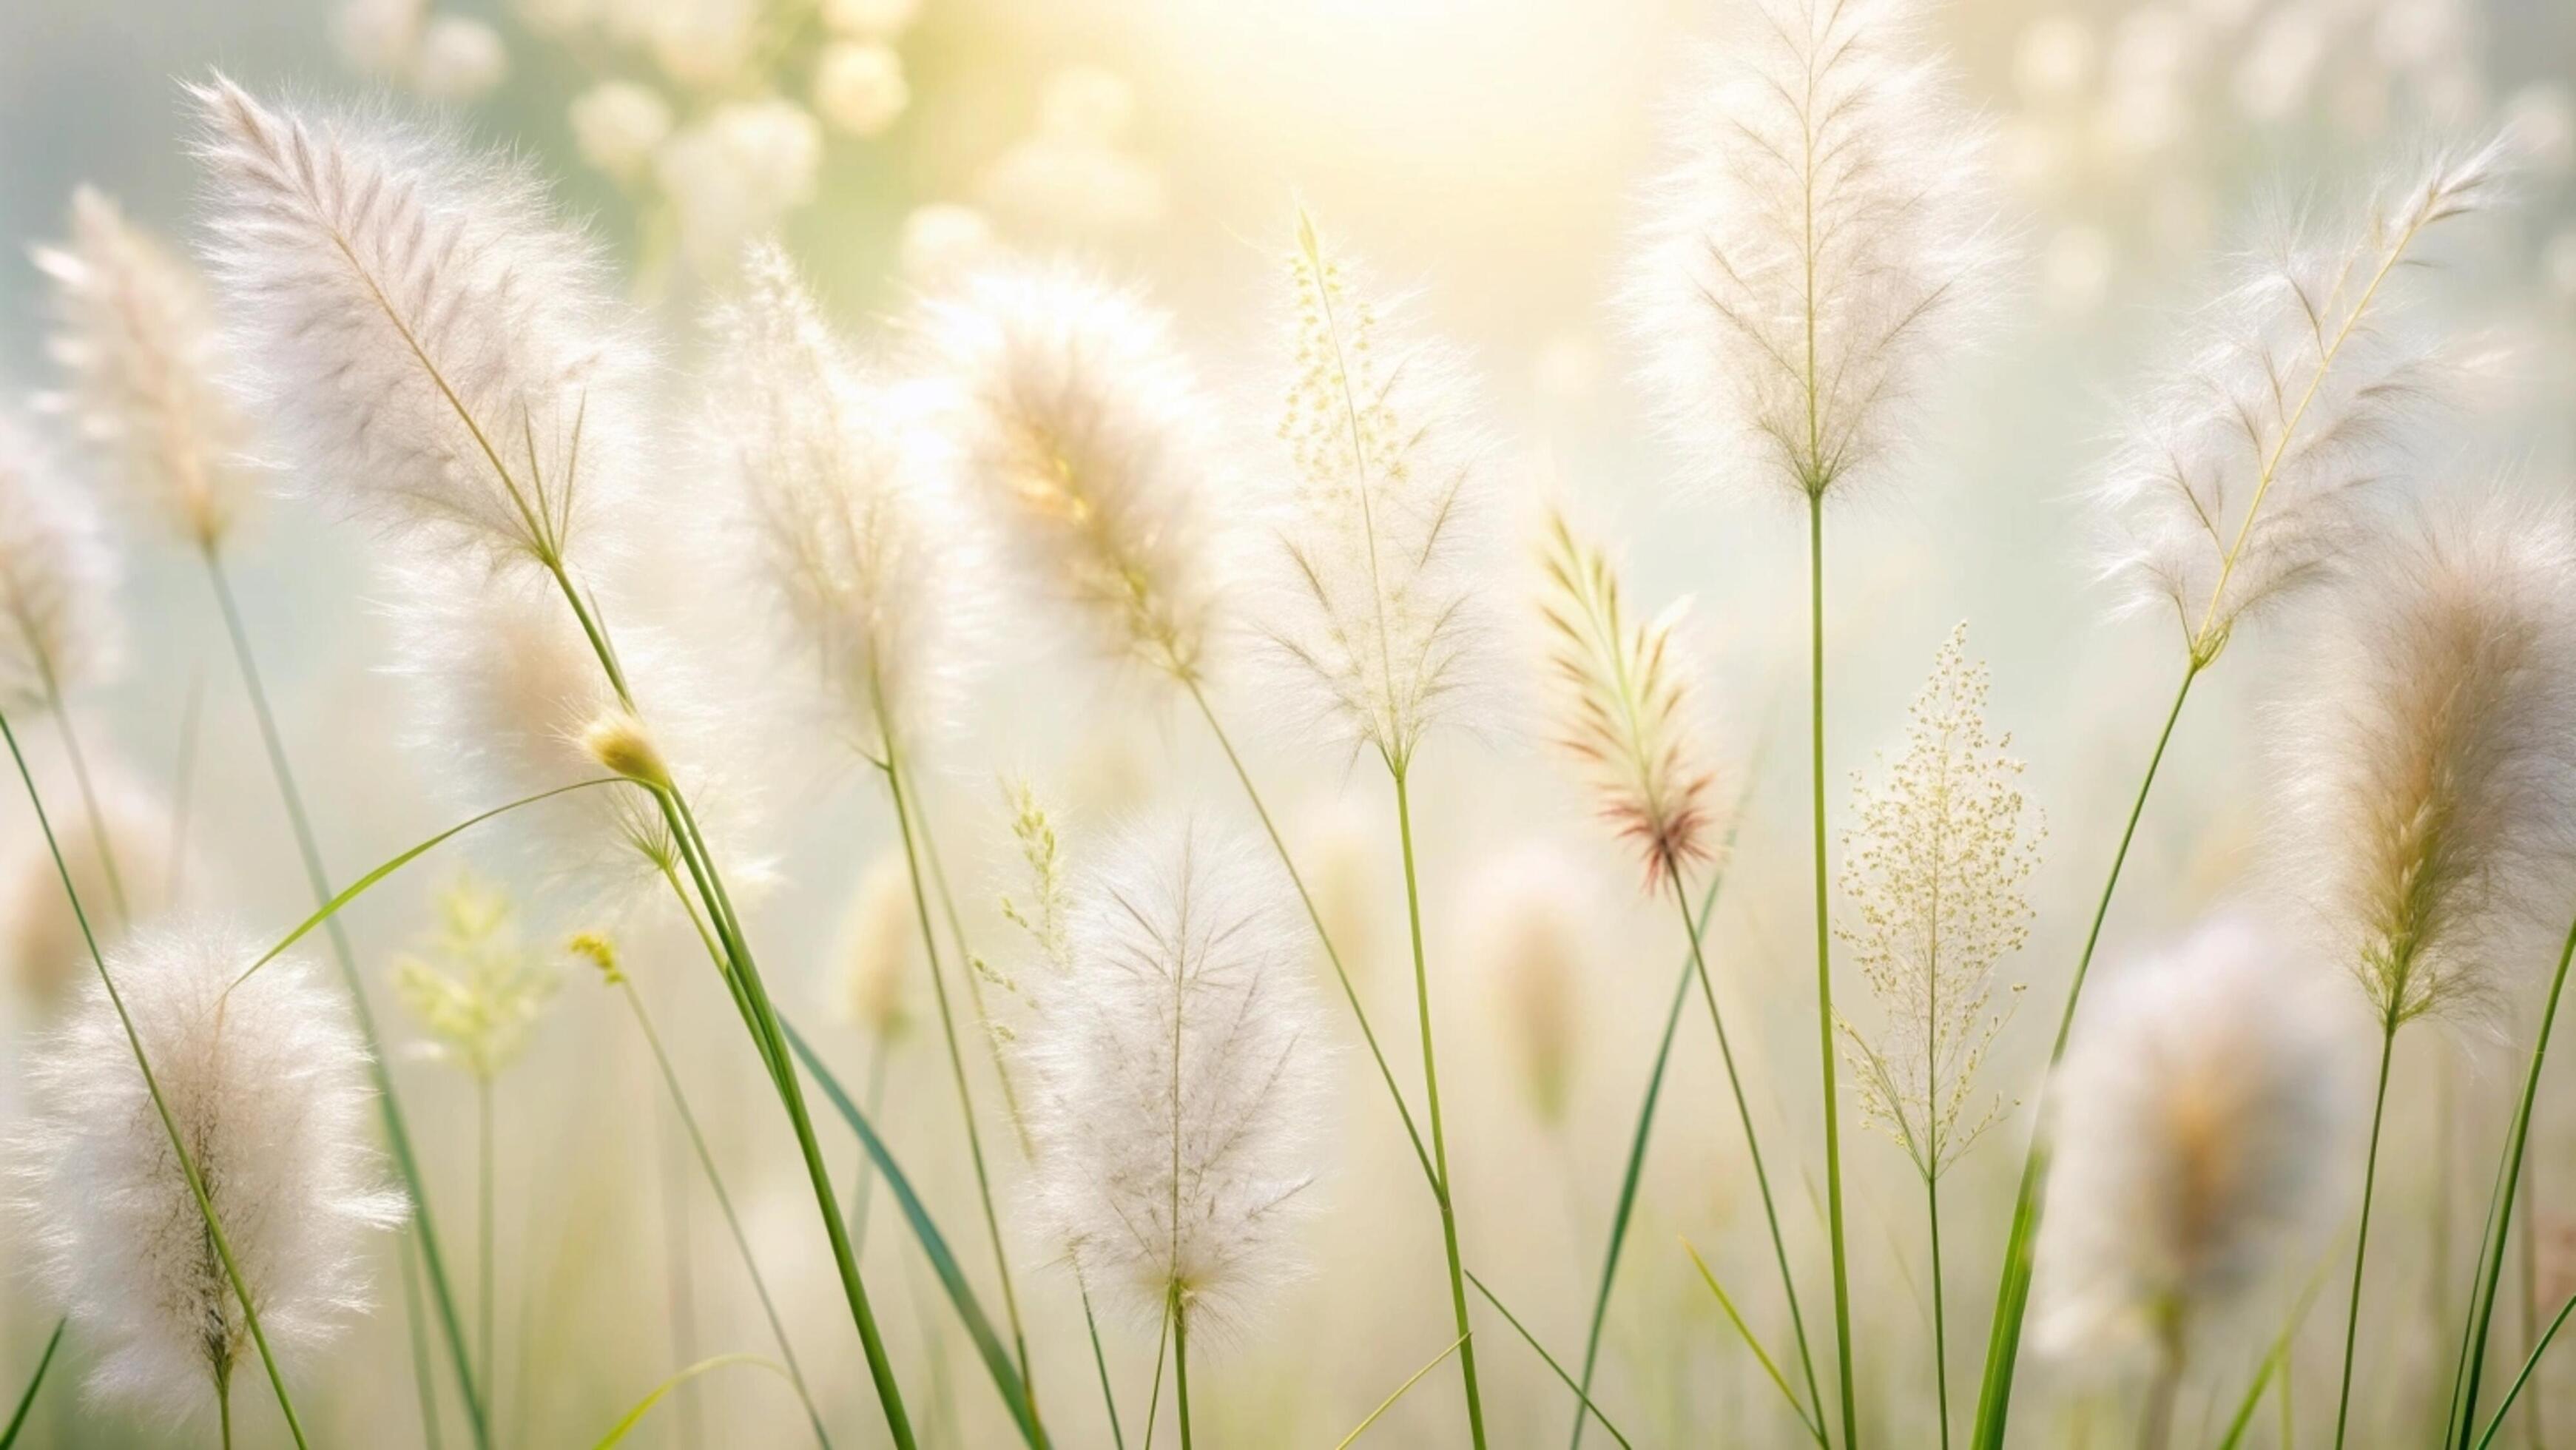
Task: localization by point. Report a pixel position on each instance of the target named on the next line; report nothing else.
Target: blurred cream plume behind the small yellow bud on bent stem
(509, 699)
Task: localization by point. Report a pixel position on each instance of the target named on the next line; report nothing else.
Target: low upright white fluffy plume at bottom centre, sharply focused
(1179, 1078)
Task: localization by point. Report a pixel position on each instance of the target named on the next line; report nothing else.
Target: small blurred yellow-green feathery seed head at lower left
(478, 988)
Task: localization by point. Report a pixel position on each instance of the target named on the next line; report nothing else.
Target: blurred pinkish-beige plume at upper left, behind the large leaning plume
(135, 336)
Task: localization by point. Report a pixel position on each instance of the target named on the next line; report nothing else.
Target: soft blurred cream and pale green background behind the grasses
(1485, 156)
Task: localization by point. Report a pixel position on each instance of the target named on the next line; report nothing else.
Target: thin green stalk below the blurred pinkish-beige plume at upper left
(398, 1135)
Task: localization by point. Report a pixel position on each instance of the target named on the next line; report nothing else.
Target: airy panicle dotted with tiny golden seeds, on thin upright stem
(1938, 869)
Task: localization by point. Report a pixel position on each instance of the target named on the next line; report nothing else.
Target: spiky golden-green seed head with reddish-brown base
(1624, 707)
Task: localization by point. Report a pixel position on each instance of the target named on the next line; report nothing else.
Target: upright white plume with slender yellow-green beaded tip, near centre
(1377, 627)
